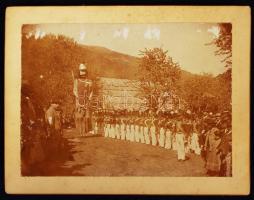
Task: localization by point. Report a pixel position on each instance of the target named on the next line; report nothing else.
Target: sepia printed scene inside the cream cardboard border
(129, 99)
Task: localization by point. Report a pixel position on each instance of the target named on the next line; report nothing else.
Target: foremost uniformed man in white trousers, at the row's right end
(180, 144)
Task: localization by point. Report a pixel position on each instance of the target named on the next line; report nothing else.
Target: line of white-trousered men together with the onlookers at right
(207, 134)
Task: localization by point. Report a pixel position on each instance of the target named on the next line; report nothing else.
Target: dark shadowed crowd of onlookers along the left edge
(41, 134)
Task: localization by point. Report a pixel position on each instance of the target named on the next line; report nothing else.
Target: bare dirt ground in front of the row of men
(95, 155)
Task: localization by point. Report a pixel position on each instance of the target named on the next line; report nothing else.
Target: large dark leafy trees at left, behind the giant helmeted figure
(47, 64)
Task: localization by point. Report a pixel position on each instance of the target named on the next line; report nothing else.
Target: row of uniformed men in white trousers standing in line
(163, 132)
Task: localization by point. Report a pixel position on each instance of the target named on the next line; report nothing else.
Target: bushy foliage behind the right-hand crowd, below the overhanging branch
(207, 93)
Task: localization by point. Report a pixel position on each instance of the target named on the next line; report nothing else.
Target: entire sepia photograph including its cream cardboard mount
(124, 103)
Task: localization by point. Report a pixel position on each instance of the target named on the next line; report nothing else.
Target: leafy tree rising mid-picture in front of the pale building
(158, 75)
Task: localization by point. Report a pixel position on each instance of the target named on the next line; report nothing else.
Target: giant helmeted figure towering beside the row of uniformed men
(83, 92)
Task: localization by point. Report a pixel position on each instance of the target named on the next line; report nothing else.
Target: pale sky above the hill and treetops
(185, 42)
